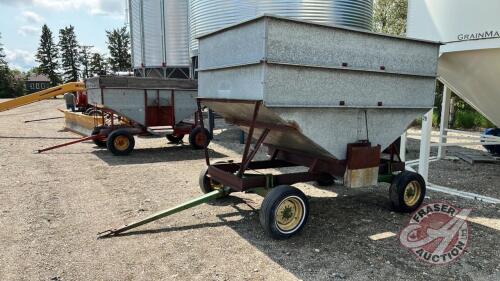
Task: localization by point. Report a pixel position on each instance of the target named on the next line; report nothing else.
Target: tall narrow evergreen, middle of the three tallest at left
(69, 54)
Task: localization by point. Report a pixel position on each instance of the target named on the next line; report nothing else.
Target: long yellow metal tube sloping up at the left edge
(42, 95)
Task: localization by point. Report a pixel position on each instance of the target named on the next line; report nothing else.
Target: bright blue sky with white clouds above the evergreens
(21, 24)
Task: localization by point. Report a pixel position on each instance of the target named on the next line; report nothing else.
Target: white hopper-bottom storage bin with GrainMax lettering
(469, 60)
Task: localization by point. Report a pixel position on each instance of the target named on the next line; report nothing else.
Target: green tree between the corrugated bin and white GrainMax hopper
(390, 16)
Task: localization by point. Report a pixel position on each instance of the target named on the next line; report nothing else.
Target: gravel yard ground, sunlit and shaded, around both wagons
(53, 204)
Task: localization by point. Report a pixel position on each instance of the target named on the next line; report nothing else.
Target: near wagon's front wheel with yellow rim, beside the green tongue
(284, 212)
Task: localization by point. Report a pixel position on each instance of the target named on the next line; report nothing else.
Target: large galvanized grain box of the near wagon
(336, 85)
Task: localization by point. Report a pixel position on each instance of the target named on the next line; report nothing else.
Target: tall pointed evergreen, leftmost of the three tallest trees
(47, 55)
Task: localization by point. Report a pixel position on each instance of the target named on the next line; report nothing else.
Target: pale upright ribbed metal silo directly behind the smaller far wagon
(159, 36)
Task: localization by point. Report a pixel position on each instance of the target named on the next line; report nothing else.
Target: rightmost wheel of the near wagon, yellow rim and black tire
(407, 191)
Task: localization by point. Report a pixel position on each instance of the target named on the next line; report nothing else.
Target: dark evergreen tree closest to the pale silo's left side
(119, 49)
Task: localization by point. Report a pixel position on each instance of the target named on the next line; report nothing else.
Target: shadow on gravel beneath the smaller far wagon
(156, 155)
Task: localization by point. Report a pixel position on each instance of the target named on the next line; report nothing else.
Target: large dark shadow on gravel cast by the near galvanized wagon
(335, 243)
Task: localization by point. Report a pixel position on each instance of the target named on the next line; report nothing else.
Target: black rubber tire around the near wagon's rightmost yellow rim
(397, 189)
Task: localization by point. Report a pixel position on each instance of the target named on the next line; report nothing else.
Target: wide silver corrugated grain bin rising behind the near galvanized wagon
(209, 15)
